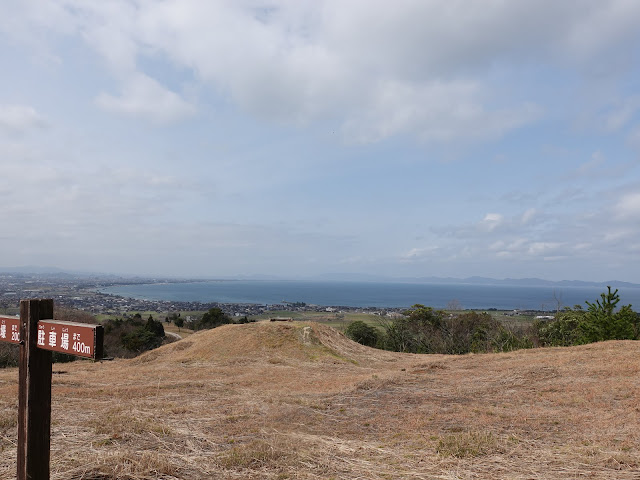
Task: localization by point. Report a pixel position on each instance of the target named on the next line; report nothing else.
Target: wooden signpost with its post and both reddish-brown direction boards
(38, 335)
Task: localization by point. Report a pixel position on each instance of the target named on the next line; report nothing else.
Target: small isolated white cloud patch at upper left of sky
(144, 97)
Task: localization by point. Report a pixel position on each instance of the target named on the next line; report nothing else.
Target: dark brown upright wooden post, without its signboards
(34, 400)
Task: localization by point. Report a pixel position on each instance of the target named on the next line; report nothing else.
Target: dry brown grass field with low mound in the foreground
(300, 401)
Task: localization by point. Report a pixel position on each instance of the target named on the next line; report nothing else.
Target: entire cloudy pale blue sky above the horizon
(410, 138)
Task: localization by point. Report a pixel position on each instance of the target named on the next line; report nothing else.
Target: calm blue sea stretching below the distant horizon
(372, 294)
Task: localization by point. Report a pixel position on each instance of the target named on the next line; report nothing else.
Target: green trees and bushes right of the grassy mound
(424, 330)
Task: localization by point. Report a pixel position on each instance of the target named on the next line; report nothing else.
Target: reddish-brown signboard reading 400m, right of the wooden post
(80, 339)
